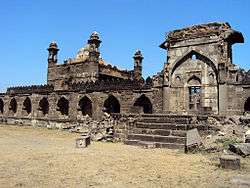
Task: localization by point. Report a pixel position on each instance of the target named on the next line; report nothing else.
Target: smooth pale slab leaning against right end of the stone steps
(193, 140)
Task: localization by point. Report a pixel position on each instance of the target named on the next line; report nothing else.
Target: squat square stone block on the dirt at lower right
(230, 162)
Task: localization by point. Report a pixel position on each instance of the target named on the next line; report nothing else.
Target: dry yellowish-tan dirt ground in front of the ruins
(38, 157)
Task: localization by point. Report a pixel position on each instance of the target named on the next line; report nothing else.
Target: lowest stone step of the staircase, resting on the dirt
(157, 144)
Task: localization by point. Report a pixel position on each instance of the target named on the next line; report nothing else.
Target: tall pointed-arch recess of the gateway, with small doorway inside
(193, 84)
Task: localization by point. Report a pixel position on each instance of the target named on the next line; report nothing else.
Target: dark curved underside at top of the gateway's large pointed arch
(198, 56)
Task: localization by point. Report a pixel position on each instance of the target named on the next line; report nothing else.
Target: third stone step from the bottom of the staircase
(162, 132)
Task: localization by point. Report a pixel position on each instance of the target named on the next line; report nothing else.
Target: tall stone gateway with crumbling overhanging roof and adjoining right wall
(199, 76)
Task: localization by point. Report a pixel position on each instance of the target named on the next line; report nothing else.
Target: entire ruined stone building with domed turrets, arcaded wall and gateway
(198, 77)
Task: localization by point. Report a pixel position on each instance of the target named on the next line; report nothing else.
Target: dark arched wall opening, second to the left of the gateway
(112, 105)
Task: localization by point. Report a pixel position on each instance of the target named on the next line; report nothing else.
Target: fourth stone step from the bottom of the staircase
(156, 125)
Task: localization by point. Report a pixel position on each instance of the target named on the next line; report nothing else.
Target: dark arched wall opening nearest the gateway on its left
(144, 103)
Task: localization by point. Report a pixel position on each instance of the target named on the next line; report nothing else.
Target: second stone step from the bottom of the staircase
(157, 138)
